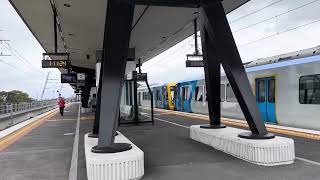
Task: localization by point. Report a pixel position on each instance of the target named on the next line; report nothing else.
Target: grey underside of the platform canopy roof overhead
(154, 30)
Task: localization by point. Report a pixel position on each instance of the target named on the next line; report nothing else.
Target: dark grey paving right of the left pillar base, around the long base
(170, 154)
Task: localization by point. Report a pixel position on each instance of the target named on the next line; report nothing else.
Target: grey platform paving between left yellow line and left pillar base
(45, 152)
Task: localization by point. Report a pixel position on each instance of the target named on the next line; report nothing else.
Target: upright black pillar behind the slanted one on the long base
(211, 65)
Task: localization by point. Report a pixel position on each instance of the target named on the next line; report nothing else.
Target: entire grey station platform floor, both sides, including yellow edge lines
(45, 149)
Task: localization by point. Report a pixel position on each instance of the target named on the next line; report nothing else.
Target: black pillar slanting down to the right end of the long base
(216, 24)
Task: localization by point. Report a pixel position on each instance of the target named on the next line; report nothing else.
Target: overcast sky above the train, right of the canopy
(170, 66)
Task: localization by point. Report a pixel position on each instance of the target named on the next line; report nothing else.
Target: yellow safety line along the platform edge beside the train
(244, 124)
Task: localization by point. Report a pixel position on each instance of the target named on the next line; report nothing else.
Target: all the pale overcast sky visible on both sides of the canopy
(169, 66)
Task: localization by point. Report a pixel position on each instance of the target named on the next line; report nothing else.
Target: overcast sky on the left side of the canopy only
(19, 75)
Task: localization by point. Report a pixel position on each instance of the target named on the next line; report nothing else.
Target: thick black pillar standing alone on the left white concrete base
(116, 44)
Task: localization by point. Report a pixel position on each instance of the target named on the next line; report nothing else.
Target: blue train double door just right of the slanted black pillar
(265, 97)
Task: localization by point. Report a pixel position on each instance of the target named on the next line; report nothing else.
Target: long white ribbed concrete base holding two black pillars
(269, 152)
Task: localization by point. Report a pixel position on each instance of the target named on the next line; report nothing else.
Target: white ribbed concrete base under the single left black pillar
(127, 165)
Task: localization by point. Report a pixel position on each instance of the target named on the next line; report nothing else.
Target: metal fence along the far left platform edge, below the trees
(10, 110)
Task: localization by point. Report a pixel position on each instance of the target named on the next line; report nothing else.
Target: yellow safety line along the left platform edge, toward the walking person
(16, 135)
